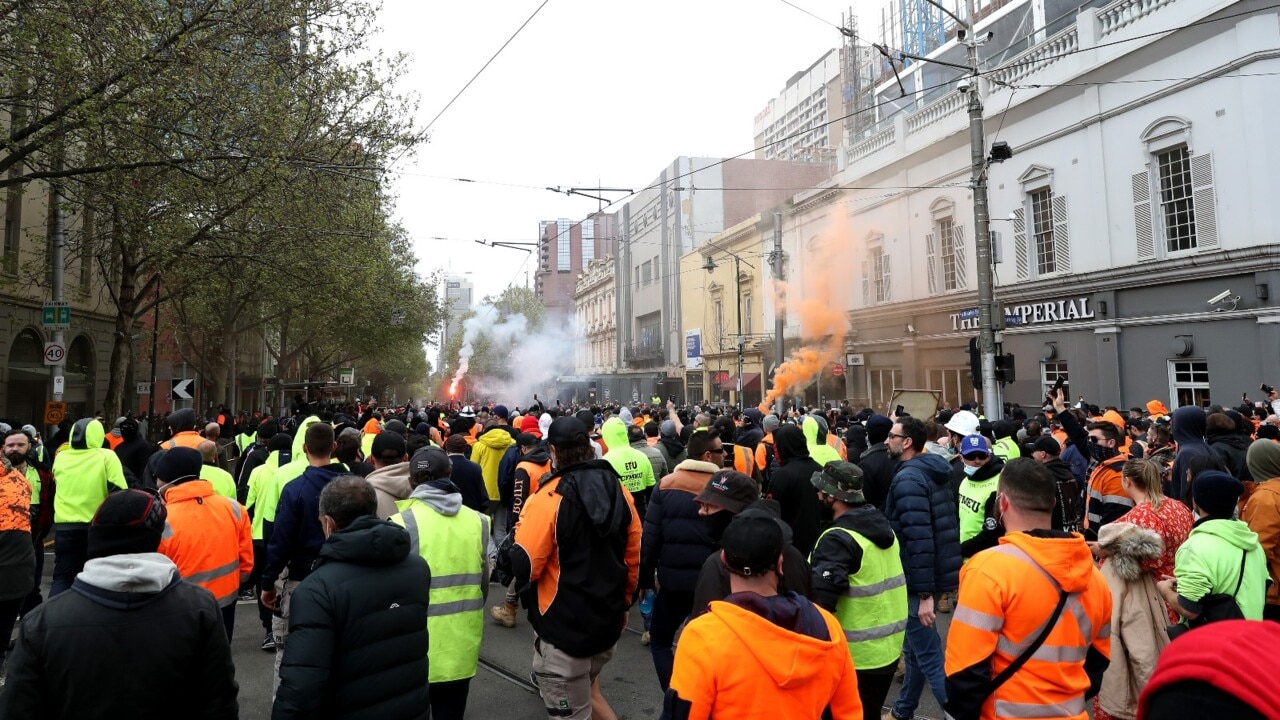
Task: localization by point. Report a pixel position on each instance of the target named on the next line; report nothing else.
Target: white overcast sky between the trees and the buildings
(592, 93)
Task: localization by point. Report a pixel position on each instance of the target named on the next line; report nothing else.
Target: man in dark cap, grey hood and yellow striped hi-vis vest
(454, 541)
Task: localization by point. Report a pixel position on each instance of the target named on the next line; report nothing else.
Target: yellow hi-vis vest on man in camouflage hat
(874, 609)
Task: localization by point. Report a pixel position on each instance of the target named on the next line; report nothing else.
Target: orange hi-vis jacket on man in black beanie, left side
(209, 539)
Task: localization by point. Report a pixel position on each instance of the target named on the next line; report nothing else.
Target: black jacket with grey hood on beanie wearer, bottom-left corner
(130, 640)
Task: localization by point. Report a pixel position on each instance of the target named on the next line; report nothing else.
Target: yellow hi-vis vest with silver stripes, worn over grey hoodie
(454, 549)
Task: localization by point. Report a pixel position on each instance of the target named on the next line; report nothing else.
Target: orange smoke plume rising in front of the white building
(819, 300)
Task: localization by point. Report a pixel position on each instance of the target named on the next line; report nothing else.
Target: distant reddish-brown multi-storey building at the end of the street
(565, 249)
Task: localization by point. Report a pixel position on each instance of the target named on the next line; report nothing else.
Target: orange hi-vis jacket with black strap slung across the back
(1008, 594)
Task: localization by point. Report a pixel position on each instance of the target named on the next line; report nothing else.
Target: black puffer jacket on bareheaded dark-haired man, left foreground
(358, 631)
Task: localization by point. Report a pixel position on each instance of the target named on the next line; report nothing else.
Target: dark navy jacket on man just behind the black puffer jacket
(296, 536)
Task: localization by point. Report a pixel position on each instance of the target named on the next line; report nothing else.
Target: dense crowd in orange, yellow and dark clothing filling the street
(787, 566)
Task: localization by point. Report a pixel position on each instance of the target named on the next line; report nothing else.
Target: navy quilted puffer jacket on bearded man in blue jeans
(922, 511)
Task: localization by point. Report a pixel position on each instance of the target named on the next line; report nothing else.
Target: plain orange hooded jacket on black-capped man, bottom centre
(733, 663)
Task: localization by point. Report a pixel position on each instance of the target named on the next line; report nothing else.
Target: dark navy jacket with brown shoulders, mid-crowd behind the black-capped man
(675, 539)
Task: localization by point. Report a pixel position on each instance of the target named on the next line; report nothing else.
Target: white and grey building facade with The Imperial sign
(1133, 229)
